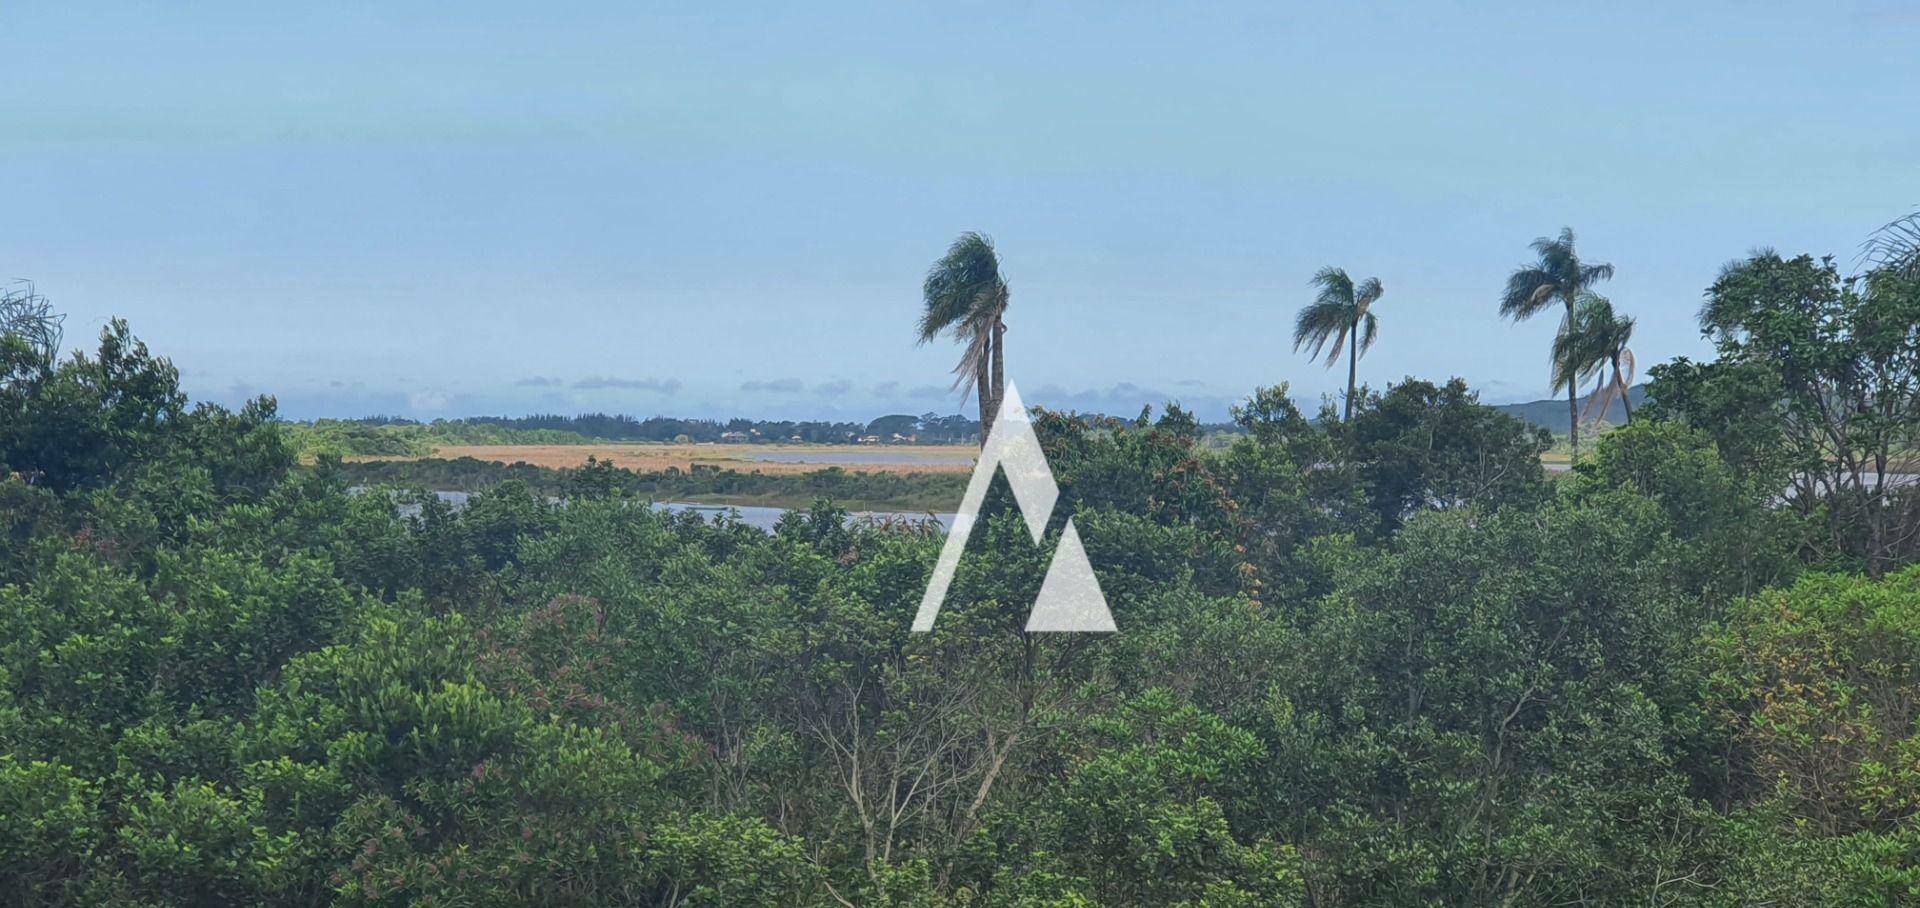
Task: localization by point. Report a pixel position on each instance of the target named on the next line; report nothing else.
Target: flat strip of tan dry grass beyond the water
(650, 458)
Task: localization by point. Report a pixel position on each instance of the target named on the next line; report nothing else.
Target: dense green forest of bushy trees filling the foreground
(1370, 657)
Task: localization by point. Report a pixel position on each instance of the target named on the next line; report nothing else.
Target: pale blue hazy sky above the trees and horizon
(715, 210)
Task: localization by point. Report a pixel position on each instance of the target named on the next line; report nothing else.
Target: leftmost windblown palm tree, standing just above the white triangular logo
(967, 297)
